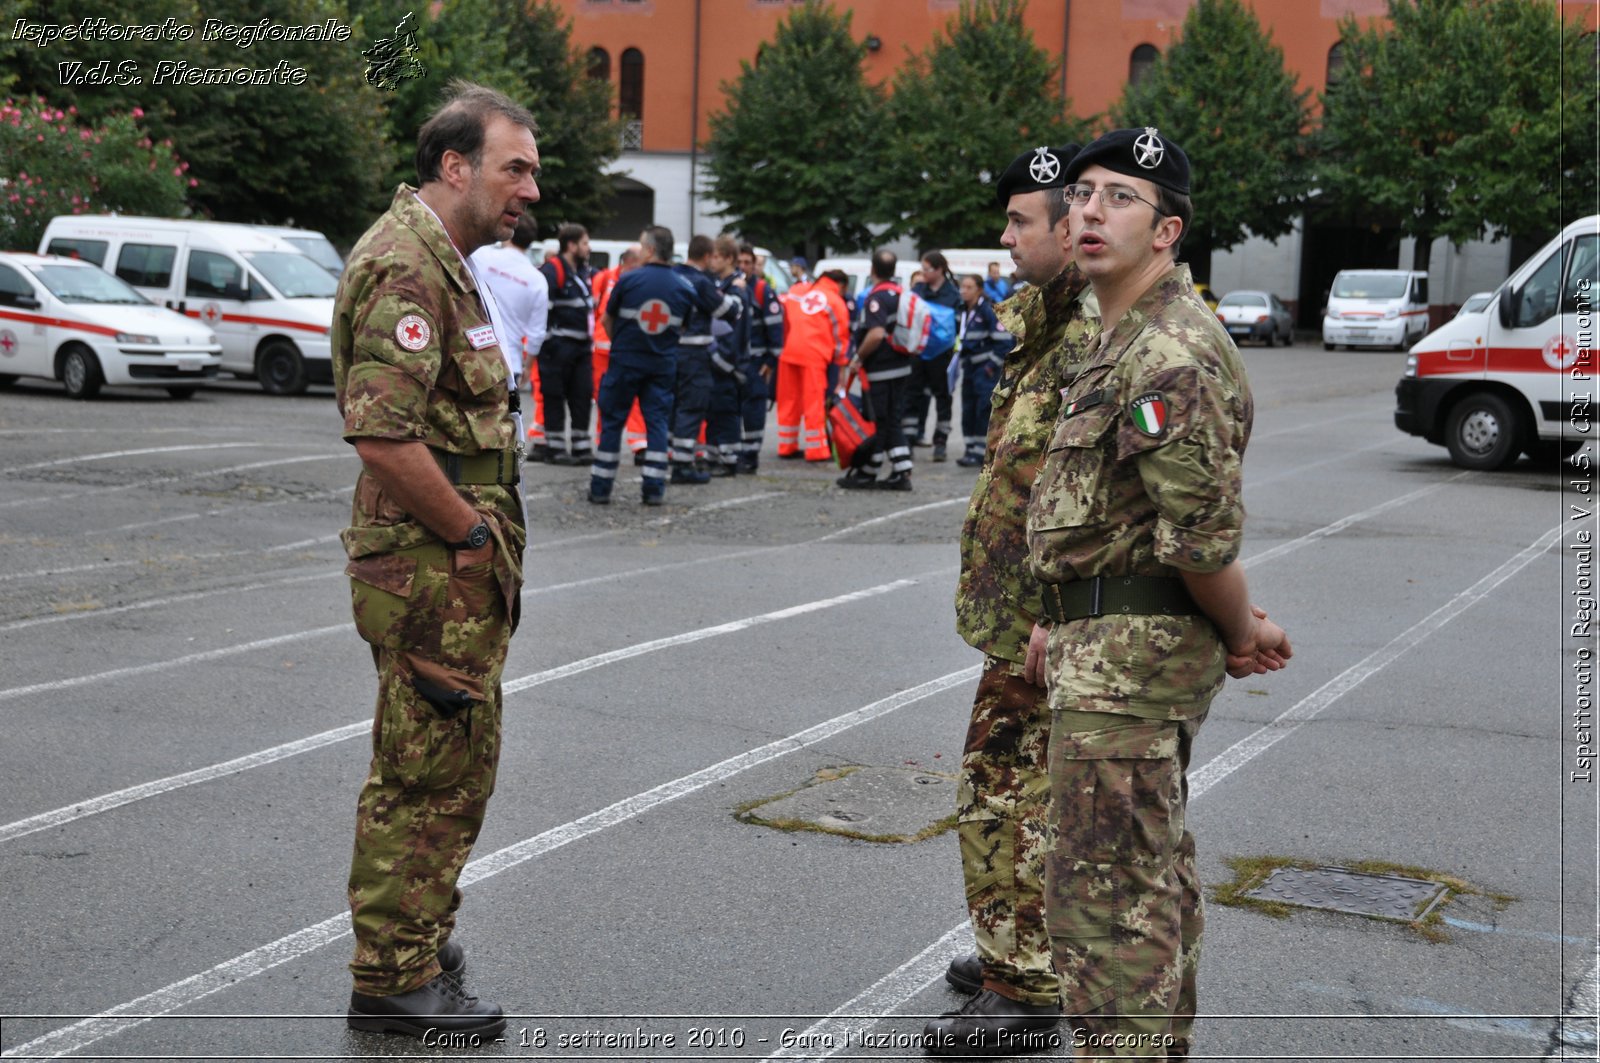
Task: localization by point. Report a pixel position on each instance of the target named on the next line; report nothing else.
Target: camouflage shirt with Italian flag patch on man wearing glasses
(1143, 478)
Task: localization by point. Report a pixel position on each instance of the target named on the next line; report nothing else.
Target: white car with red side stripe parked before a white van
(71, 321)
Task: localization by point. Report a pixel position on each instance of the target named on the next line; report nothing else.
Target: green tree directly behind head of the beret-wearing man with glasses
(1223, 95)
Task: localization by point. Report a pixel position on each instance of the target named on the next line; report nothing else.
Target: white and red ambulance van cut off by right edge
(1521, 375)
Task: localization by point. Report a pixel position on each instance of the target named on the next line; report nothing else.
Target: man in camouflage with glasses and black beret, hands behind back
(1135, 529)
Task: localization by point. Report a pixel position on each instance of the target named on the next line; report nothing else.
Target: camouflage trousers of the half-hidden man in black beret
(1004, 827)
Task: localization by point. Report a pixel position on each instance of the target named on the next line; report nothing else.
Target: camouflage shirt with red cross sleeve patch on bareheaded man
(415, 358)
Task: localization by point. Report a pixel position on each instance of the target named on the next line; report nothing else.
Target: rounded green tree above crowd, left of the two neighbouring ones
(786, 153)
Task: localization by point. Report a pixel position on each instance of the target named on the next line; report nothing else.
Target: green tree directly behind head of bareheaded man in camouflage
(522, 49)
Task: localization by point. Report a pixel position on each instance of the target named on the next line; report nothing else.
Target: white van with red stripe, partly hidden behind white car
(270, 307)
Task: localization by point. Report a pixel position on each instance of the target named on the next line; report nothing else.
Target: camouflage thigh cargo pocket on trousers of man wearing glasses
(1118, 793)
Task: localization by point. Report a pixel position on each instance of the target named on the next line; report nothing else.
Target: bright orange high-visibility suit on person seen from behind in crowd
(817, 335)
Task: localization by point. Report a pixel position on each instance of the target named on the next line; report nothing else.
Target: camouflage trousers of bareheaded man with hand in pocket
(439, 640)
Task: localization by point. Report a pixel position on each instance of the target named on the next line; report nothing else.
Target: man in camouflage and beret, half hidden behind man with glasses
(1002, 808)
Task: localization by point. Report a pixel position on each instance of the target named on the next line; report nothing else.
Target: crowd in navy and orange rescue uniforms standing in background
(738, 351)
